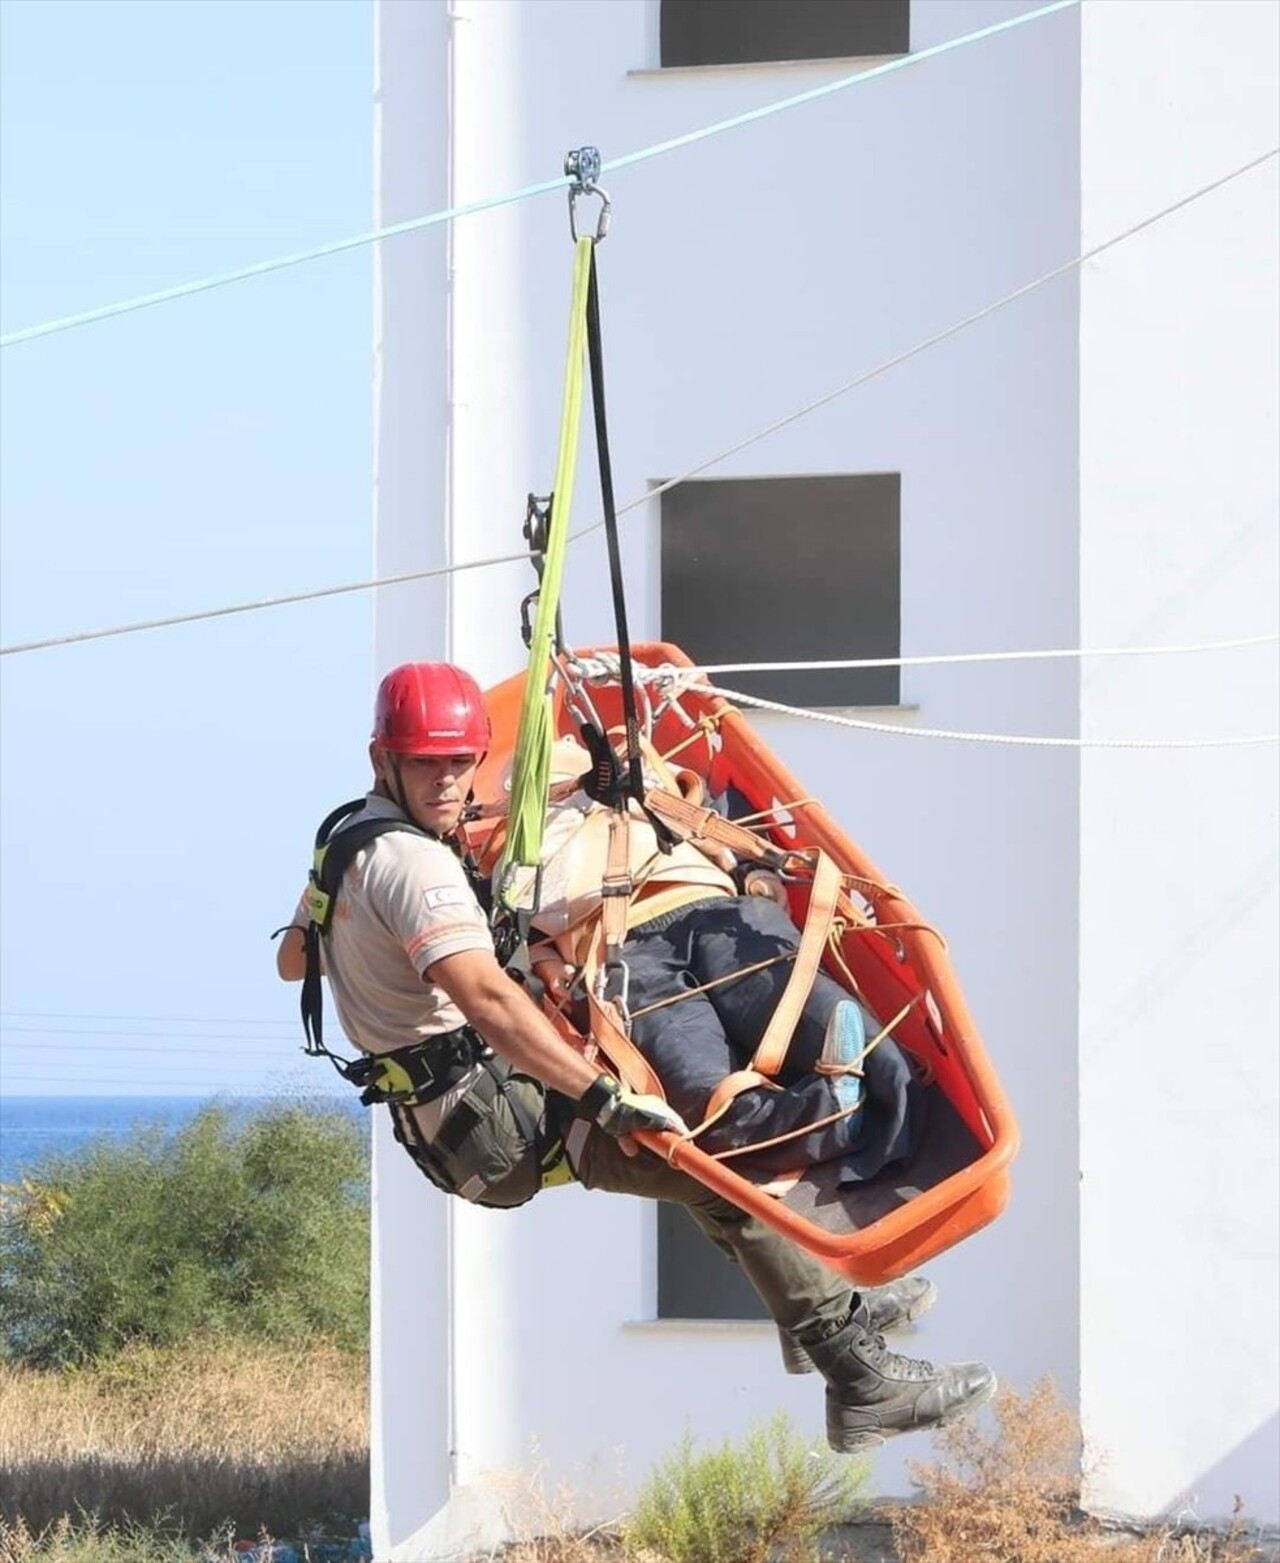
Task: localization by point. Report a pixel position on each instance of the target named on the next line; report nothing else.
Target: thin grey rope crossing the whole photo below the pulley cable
(663, 488)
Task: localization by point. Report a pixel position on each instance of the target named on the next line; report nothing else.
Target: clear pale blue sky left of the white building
(159, 792)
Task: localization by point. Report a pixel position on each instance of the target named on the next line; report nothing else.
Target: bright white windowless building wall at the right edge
(1179, 929)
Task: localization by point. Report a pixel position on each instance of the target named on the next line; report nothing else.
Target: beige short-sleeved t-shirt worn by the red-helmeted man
(406, 904)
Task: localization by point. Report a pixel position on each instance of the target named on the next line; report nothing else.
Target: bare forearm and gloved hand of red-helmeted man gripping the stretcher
(518, 1031)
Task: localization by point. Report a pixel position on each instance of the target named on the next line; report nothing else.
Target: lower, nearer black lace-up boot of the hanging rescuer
(873, 1393)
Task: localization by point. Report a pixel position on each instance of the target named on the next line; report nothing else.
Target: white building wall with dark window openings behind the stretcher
(743, 279)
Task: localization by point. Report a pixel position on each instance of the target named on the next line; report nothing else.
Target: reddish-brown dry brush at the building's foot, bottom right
(1012, 1495)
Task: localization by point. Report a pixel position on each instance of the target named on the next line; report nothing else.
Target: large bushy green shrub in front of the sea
(229, 1226)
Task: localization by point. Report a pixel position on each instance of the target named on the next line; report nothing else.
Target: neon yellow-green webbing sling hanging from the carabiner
(531, 774)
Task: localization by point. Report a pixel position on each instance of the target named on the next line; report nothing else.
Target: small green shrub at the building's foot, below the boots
(768, 1498)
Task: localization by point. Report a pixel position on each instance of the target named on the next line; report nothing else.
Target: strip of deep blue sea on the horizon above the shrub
(34, 1128)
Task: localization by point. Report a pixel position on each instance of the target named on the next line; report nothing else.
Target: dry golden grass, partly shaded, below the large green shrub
(262, 1434)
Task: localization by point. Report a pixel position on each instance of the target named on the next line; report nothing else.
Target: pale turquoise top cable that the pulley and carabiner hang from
(524, 193)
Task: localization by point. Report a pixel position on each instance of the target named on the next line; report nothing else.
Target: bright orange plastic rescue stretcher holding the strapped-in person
(878, 946)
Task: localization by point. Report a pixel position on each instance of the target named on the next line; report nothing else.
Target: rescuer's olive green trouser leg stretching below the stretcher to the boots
(801, 1295)
